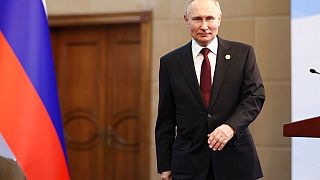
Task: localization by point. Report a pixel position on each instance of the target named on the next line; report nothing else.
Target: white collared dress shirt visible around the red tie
(198, 57)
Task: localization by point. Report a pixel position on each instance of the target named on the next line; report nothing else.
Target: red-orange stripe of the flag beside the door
(25, 122)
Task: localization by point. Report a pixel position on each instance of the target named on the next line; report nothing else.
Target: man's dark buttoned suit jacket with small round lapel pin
(183, 122)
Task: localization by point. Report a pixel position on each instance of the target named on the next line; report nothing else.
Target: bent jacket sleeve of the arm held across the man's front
(252, 96)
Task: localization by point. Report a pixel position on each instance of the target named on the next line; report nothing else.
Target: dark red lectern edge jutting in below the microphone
(304, 128)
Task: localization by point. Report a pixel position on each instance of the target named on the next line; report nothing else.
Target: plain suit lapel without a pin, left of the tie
(187, 66)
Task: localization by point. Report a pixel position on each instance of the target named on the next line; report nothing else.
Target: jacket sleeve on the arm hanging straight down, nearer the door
(165, 125)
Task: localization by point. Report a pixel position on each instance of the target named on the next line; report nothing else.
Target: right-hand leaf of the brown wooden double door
(124, 86)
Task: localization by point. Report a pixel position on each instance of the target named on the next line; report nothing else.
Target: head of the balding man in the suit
(203, 19)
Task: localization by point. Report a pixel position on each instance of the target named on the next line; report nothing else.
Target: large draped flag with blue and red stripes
(30, 119)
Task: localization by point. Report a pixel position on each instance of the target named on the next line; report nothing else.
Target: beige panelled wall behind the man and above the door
(265, 24)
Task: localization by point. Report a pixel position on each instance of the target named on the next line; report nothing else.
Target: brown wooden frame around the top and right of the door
(143, 18)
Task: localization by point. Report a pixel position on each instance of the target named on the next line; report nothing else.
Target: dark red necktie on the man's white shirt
(205, 77)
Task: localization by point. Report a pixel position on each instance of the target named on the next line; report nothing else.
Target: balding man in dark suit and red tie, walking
(210, 90)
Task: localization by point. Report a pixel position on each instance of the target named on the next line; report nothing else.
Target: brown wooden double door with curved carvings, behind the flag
(101, 80)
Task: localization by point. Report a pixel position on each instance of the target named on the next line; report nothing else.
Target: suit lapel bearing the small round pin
(222, 66)
